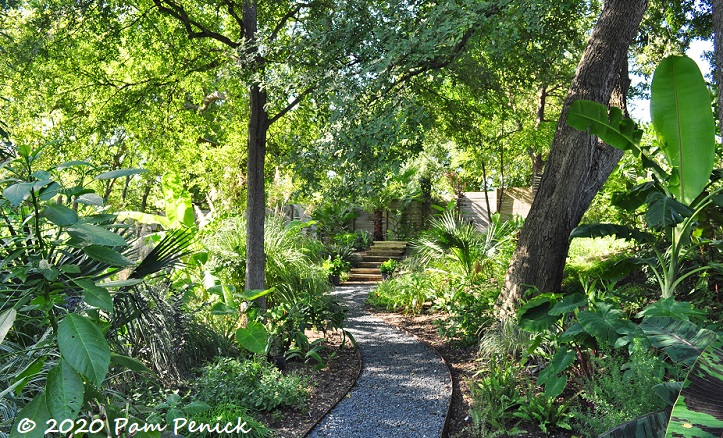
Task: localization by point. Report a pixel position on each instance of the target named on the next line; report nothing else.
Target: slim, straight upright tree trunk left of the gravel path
(256, 198)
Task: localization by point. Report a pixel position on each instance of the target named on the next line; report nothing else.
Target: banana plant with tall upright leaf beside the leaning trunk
(683, 122)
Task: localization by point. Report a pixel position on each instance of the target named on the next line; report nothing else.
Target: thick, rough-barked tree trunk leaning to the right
(579, 164)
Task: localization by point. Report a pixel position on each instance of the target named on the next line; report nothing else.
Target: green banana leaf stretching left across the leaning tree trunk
(609, 126)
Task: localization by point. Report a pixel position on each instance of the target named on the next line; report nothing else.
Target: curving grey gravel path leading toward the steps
(404, 389)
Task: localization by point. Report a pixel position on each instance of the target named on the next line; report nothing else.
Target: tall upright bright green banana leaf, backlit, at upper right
(680, 109)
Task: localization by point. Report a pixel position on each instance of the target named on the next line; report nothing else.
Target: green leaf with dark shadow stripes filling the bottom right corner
(698, 412)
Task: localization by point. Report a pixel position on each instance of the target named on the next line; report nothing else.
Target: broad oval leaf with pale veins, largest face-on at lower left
(84, 347)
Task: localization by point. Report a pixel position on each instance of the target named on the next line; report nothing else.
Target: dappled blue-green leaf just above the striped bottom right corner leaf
(683, 341)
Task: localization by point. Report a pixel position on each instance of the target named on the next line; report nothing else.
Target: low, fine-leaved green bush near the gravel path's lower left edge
(253, 383)
